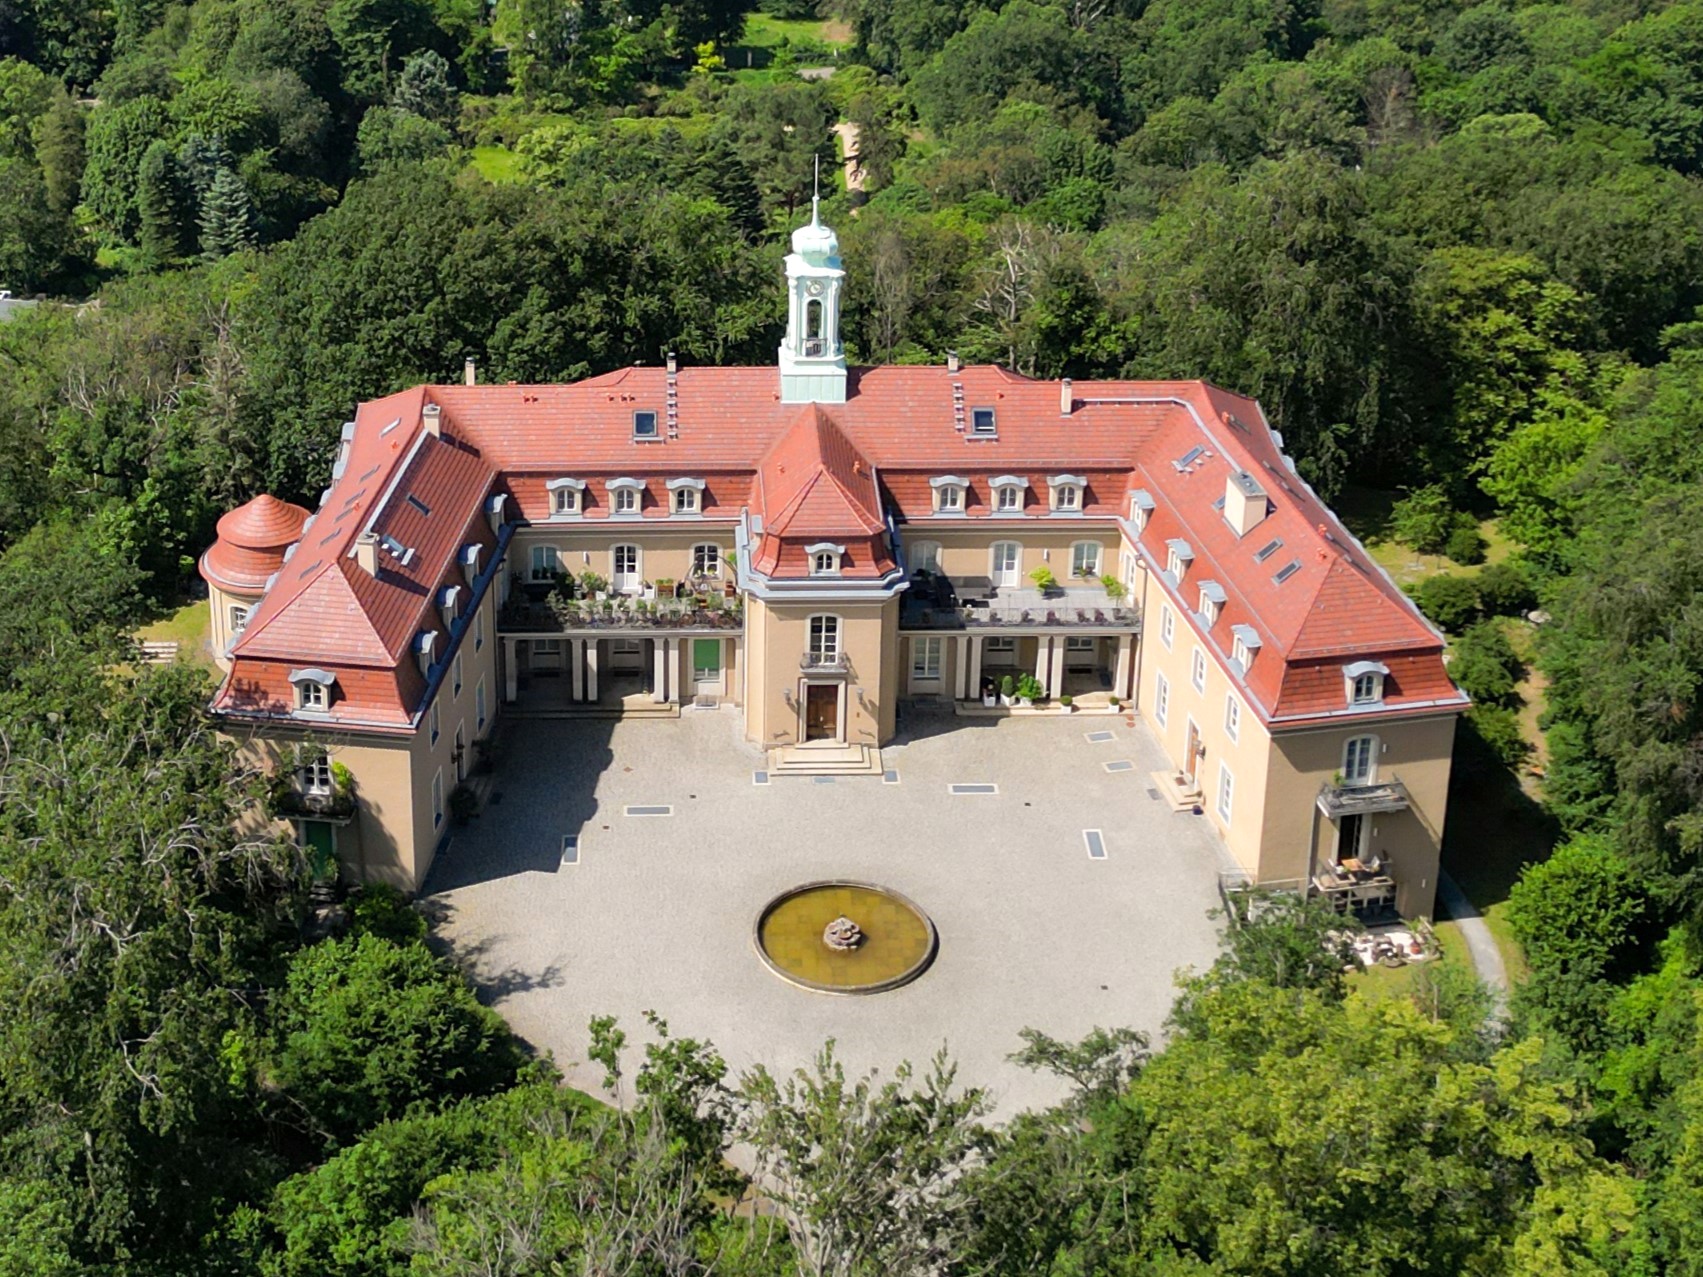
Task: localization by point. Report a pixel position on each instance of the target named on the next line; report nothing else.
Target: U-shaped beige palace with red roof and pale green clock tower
(818, 549)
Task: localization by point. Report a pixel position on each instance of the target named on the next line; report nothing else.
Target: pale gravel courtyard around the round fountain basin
(658, 910)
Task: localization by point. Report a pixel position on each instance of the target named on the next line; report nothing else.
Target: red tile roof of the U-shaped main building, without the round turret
(820, 474)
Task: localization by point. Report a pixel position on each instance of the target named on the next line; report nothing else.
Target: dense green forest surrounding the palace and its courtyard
(1455, 251)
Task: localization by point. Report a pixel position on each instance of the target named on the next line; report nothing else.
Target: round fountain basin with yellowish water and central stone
(846, 937)
